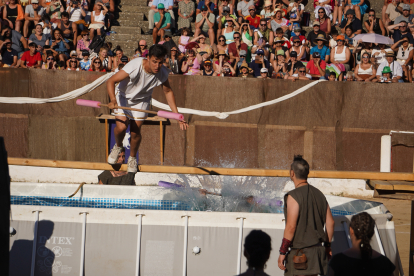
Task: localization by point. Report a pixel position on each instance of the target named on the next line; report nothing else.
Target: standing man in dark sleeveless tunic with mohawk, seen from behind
(307, 213)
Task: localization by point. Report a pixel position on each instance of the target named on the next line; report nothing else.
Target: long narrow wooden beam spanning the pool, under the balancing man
(213, 171)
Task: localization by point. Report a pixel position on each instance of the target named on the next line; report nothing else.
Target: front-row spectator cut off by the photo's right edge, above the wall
(404, 56)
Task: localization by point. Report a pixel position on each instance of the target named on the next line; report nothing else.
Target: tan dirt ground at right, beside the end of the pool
(401, 210)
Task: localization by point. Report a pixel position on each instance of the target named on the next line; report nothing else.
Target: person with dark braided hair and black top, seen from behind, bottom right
(361, 259)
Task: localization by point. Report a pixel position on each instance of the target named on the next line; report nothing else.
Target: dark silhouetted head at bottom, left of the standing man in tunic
(257, 247)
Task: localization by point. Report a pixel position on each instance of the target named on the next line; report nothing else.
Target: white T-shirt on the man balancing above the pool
(140, 84)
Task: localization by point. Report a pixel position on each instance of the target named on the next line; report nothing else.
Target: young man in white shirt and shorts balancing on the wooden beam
(137, 80)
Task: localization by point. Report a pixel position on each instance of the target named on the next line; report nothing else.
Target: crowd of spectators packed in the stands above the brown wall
(246, 38)
